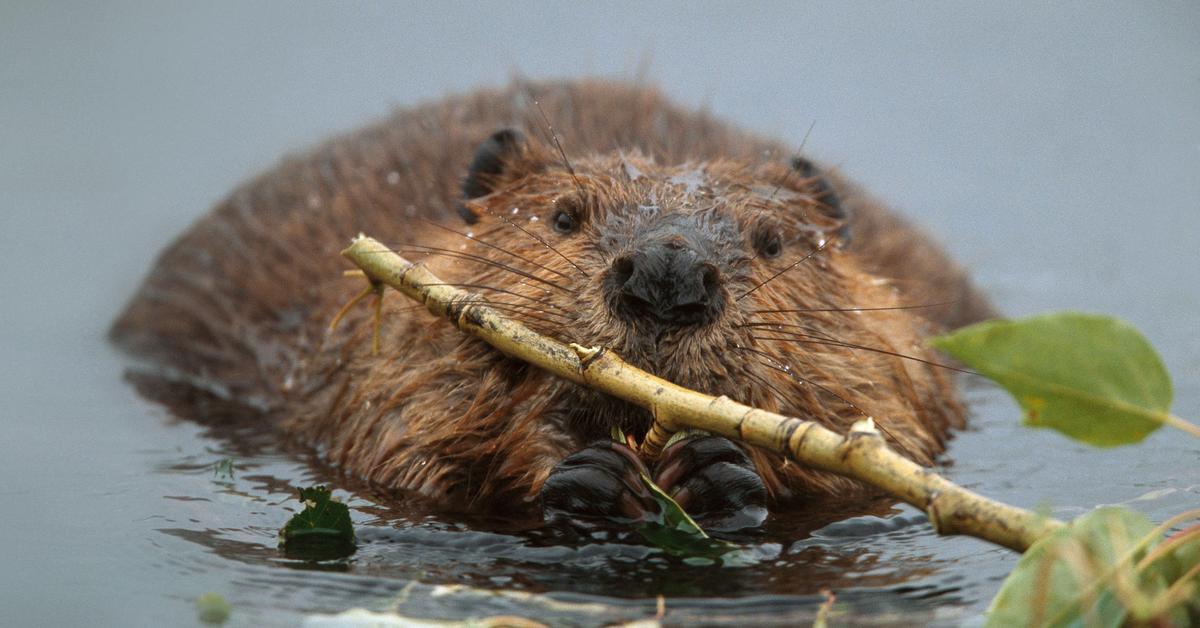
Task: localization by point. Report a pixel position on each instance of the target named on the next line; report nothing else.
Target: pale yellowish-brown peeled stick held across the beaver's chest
(862, 454)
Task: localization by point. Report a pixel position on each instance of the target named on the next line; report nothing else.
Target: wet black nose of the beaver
(669, 284)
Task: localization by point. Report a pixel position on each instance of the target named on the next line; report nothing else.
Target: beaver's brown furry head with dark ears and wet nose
(724, 277)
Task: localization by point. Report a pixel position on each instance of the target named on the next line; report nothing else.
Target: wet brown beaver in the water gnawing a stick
(593, 212)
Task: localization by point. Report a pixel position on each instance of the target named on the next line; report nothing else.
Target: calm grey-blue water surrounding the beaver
(1054, 149)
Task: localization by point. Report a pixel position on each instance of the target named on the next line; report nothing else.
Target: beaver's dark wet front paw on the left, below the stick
(602, 482)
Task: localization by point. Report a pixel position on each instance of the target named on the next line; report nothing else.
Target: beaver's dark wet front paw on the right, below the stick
(715, 481)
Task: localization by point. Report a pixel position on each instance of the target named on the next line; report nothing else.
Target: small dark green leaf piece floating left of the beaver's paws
(320, 533)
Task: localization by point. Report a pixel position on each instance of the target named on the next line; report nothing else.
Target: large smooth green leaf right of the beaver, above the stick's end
(1093, 378)
